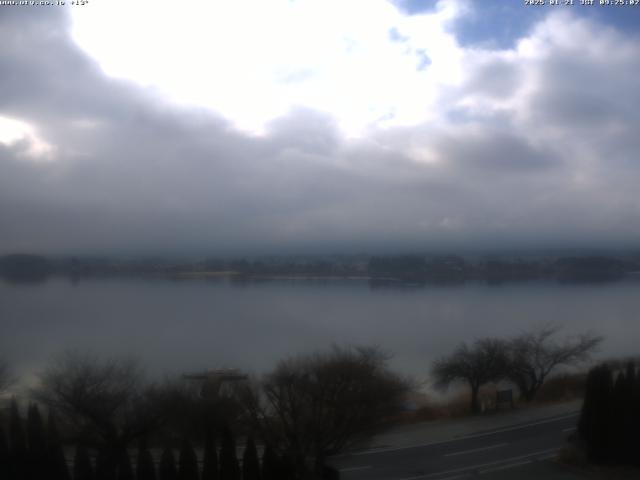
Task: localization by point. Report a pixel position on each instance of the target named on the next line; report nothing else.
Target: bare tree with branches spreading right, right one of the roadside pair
(535, 354)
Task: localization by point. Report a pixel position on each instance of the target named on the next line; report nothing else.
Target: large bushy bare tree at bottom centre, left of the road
(318, 405)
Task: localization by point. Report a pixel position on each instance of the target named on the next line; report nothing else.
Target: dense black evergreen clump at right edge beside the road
(610, 418)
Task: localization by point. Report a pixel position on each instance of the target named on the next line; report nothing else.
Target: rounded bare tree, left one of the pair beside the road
(483, 362)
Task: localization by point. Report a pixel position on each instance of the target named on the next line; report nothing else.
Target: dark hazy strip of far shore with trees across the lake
(407, 268)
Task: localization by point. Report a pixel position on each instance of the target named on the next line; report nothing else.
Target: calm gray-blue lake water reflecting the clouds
(178, 326)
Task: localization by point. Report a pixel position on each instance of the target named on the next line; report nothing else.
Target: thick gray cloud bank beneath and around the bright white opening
(134, 173)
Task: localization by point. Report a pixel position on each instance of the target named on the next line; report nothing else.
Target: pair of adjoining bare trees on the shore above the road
(525, 360)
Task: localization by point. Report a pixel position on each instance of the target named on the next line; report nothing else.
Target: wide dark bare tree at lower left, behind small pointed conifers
(104, 400)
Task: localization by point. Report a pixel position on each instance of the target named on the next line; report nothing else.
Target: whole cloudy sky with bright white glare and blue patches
(322, 126)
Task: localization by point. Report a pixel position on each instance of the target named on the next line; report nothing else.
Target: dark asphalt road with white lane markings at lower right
(481, 453)
